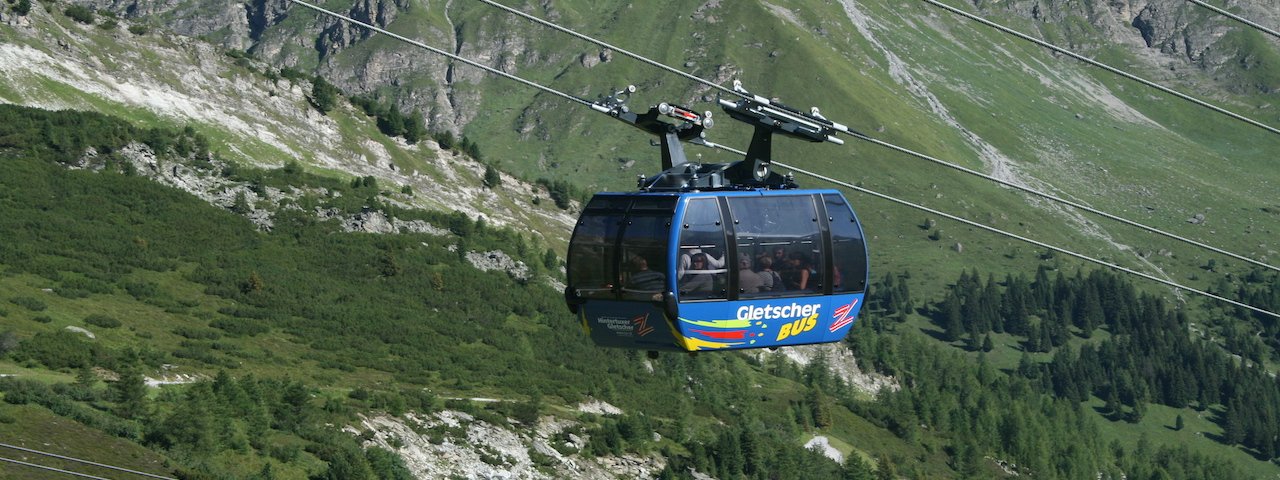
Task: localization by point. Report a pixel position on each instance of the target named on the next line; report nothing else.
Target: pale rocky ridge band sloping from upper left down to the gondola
(268, 122)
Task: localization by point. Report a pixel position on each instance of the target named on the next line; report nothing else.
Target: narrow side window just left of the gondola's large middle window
(702, 271)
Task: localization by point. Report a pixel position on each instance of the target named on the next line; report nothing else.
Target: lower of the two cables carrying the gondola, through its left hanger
(834, 181)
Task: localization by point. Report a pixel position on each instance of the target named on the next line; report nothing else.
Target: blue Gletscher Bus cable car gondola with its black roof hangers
(717, 257)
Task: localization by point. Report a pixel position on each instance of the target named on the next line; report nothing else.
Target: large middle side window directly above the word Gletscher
(779, 236)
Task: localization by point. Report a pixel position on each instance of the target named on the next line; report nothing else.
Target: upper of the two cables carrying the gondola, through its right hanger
(888, 145)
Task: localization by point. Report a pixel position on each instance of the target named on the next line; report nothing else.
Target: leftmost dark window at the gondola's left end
(592, 255)
